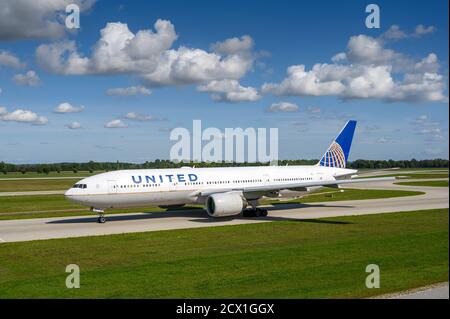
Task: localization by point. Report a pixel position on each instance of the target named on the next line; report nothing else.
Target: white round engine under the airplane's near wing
(225, 204)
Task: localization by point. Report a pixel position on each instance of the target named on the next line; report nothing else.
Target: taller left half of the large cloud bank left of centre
(117, 51)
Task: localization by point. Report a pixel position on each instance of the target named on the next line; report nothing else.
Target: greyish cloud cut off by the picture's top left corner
(24, 19)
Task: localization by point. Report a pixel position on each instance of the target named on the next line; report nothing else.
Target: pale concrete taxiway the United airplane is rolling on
(64, 227)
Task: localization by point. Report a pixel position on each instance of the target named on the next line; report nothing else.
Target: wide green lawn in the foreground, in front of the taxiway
(323, 258)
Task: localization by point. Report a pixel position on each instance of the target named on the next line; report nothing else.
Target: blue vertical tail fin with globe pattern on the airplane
(337, 153)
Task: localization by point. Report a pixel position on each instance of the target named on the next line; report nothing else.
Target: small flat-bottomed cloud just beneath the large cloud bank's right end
(229, 91)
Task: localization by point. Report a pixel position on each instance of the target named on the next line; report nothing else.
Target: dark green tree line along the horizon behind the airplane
(92, 166)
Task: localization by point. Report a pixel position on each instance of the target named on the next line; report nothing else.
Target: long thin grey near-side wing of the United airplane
(268, 188)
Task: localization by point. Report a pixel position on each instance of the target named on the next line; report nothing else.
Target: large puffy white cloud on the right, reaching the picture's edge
(366, 70)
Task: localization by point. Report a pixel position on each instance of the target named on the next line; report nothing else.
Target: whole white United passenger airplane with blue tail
(224, 191)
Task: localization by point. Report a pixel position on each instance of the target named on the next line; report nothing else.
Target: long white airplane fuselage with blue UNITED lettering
(175, 186)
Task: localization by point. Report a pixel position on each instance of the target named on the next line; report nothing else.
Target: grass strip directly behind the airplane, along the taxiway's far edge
(16, 207)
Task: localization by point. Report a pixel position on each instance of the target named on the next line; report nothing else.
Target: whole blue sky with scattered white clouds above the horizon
(114, 88)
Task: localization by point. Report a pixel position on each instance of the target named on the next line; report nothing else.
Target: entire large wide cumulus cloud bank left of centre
(149, 55)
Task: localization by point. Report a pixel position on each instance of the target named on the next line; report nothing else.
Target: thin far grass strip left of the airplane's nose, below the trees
(35, 185)
